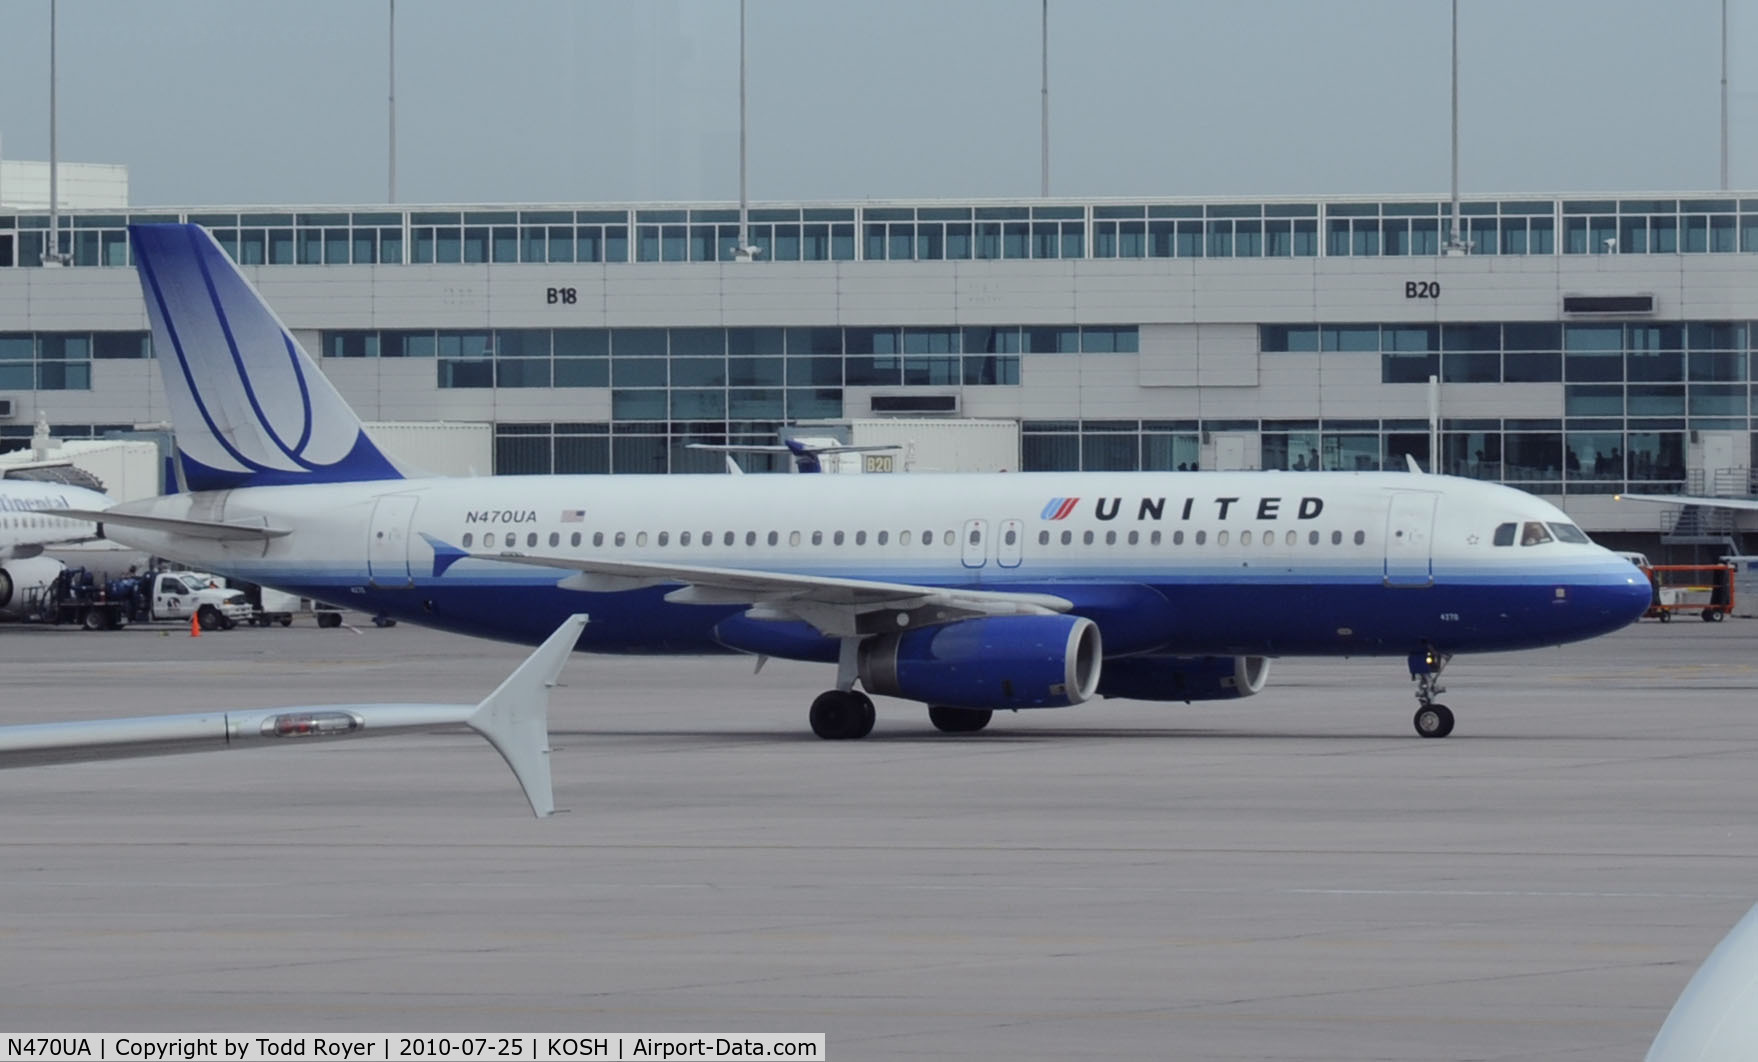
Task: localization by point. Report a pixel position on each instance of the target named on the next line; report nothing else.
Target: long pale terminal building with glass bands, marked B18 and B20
(1581, 347)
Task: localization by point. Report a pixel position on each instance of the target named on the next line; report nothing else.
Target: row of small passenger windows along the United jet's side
(1010, 537)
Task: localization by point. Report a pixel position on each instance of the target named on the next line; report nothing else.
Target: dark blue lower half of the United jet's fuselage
(1274, 613)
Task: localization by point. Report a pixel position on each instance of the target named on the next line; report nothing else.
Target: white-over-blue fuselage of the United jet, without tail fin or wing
(1275, 564)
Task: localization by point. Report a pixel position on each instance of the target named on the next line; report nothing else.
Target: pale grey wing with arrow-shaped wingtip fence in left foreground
(514, 718)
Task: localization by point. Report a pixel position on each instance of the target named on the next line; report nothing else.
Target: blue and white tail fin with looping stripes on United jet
(251, 407)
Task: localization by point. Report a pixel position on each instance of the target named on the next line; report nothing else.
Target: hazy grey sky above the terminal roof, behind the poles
(556, 101)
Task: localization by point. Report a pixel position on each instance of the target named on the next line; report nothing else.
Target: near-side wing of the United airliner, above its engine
(838, 607)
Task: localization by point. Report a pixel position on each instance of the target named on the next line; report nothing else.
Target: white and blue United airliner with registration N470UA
(966, 593)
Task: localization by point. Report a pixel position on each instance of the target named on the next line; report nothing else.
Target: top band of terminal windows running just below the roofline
(929, 233)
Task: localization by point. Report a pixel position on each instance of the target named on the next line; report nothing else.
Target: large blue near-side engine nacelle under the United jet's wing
(1001, 662)
